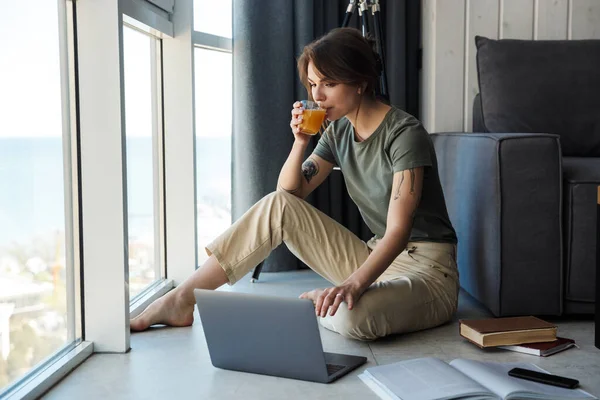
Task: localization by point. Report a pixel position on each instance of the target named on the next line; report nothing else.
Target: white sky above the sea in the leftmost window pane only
(29, 69)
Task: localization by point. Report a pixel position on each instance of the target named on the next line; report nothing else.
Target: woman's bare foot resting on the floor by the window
(169, 310)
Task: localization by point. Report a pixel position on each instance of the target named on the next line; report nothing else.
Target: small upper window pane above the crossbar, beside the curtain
(213, 17)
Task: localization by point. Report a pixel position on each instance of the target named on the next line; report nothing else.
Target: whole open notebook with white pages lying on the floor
(434, 379)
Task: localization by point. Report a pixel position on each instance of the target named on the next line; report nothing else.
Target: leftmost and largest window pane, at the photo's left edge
(34, 322)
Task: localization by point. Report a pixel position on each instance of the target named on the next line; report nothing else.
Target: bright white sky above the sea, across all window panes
(30, 105)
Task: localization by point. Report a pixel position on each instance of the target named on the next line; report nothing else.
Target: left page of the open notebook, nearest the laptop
(427, 379)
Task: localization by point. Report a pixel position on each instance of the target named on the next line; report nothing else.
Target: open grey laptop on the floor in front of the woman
(268, 335)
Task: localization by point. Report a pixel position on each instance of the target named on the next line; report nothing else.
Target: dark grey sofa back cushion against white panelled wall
(547, 86)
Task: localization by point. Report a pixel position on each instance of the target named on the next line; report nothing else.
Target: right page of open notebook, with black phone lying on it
(495, 377)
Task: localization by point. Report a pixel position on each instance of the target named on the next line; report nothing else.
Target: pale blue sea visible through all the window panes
(32, 184)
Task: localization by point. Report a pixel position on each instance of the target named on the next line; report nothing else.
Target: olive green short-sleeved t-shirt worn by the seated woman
(399, 143)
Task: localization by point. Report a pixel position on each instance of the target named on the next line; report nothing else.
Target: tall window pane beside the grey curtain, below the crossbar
(213, 144)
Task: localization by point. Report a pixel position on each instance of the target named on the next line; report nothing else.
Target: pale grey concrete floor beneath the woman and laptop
(174, 362)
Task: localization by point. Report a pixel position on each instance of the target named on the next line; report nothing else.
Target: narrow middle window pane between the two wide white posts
(139, 57)
